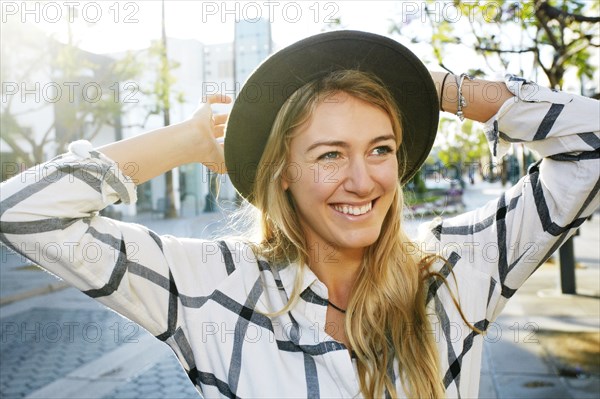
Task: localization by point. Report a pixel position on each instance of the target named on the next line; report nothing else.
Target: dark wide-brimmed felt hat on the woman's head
(274, 81)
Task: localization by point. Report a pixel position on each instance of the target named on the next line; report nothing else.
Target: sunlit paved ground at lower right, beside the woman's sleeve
(520, 361)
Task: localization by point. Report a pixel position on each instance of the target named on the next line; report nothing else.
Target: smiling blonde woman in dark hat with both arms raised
(333, 299)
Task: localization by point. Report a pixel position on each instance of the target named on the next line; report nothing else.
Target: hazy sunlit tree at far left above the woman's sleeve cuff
(81, 92)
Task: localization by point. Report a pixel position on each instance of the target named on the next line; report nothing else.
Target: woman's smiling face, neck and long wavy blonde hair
(340, 214)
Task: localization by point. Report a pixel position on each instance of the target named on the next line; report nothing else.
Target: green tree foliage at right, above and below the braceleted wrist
(528, 38)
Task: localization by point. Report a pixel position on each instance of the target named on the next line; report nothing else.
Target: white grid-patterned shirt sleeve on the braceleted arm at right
(509, 238)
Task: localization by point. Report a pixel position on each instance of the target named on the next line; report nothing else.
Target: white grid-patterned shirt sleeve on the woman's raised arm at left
(50, 214)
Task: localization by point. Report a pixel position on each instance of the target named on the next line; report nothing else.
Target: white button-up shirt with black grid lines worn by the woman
(208, 299)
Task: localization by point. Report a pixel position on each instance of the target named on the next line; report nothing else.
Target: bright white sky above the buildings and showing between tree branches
(111, 26)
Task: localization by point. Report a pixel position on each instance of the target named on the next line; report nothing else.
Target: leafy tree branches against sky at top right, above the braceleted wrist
(550, 36)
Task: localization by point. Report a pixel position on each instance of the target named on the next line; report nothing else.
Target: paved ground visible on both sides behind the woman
(64, 345)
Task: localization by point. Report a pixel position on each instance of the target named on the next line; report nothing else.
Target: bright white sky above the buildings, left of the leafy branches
(113, 26)
